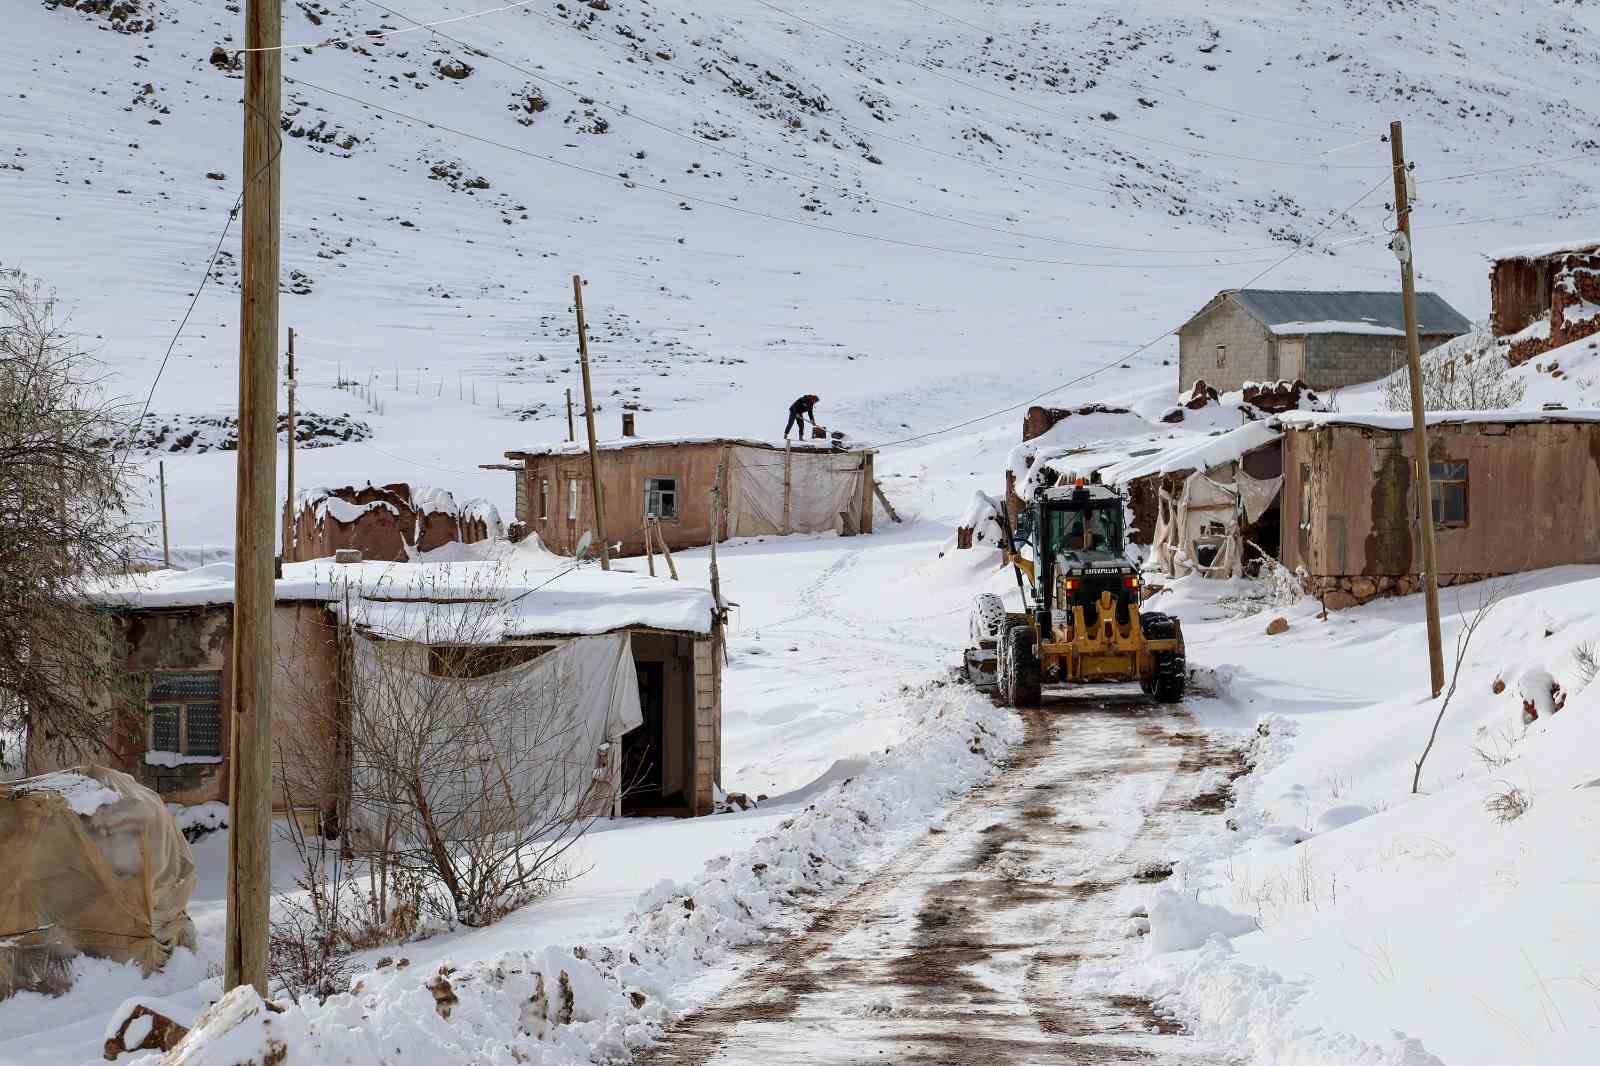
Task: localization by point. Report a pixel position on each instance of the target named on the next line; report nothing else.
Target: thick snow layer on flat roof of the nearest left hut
(537, 593)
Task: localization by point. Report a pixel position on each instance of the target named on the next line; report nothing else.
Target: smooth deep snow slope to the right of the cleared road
(1396, 929)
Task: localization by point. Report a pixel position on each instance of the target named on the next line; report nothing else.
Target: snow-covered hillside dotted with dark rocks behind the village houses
(921, 212)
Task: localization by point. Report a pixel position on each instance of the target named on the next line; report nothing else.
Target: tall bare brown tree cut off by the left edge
(63, 524)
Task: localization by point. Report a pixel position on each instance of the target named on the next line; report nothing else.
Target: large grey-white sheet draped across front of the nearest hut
(522, 747)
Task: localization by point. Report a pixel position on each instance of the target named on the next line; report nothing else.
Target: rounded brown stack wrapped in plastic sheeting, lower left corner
(94, 864)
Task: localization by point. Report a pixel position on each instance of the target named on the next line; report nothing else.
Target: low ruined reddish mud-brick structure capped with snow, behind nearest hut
(385, 523)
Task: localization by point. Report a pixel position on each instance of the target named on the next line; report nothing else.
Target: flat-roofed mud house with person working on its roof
(769, 491)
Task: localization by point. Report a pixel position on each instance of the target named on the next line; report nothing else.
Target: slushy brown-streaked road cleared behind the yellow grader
(975, 944)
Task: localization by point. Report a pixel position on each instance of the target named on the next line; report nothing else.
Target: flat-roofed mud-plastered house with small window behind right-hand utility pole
(1513, 492)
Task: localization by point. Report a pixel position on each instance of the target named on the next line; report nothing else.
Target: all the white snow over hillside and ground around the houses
(924, 214)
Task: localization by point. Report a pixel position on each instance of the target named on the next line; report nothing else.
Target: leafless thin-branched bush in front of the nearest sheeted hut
(471, 774)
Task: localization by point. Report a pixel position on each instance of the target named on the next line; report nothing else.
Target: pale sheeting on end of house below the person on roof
(822, 486)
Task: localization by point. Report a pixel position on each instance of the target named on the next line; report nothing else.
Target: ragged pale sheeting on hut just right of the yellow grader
(1210, 513)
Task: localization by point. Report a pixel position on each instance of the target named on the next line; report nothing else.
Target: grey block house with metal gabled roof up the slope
(1324, 340)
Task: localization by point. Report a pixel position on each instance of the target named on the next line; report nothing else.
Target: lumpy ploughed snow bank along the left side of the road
(567, 1006)
